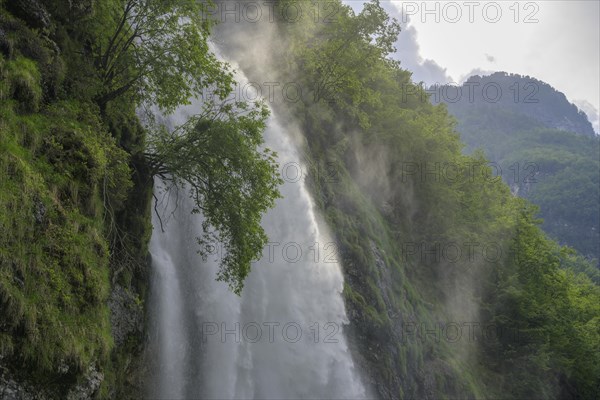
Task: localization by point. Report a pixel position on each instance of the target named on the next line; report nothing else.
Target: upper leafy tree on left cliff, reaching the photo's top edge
(159, 51)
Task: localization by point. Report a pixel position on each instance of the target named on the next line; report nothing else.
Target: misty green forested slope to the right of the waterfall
(407, 206)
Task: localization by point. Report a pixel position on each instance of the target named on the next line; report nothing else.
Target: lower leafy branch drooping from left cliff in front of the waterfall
(217, 155)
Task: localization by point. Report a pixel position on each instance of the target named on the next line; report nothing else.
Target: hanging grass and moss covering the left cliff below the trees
(54, 274)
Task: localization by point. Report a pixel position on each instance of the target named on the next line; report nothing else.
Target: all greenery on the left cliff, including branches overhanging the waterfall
(77, 164)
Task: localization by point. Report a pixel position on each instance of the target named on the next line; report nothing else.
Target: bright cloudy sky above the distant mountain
(555, 41)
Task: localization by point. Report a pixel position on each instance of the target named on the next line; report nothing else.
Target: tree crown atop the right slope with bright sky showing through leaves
(342, 58)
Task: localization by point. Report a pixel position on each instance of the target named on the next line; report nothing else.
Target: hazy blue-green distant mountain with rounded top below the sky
(542, 145)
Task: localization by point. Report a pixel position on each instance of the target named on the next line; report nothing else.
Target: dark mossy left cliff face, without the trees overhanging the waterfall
(75, 219)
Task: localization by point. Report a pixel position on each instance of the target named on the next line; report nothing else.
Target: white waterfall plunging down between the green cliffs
(282, 338)
